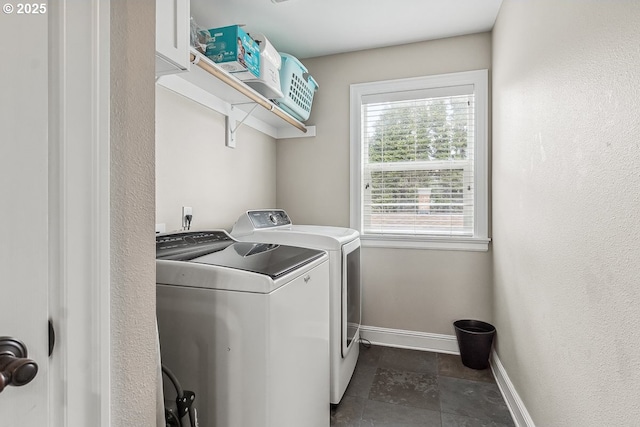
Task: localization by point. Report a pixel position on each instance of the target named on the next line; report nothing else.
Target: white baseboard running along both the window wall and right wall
(449, 344)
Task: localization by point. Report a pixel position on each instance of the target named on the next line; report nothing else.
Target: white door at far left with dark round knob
(24, 202)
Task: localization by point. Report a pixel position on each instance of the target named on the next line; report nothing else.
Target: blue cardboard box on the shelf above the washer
(235, 51)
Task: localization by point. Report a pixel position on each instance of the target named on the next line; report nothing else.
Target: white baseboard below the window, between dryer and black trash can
(410, 339)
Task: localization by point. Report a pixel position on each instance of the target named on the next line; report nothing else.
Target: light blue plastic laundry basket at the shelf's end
(298, 88)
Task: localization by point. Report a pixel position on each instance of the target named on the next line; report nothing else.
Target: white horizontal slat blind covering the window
(418, 166)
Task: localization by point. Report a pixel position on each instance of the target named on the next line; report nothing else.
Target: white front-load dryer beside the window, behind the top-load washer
(343, 246)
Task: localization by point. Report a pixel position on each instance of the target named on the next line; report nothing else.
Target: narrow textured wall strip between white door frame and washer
(133, 345)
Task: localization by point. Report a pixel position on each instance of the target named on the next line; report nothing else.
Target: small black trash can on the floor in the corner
(474, 339)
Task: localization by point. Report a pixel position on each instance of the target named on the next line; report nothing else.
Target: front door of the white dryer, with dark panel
(351, 295)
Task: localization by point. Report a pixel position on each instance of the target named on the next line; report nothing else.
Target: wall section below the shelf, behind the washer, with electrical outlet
(194, 168)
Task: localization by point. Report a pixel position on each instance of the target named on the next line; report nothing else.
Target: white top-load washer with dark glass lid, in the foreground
(245, 326)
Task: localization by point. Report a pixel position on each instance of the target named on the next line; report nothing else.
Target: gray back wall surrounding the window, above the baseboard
(415, 290)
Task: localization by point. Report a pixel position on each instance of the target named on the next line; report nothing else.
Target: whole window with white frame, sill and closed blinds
(419, 162)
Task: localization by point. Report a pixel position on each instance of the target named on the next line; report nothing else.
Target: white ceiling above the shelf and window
(310, 28)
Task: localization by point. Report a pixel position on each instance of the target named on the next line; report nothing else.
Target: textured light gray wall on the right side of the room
(566, 227)
